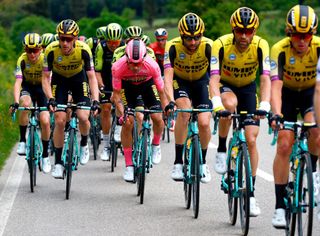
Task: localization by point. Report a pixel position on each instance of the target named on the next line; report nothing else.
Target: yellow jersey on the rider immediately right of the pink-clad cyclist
(188, 66)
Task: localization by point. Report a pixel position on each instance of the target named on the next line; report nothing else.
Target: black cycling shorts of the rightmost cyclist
(295, 102)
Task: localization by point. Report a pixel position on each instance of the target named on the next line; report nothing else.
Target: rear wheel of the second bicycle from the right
(232, 201)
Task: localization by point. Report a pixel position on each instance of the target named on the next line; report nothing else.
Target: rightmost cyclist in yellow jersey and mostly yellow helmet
(293, 75)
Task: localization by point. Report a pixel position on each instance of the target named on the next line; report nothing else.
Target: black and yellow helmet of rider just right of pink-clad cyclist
(191, 24)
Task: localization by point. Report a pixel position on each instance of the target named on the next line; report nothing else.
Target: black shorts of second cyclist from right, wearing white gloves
(247, 99)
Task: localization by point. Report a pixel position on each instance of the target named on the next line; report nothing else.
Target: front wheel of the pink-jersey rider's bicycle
(144, 156)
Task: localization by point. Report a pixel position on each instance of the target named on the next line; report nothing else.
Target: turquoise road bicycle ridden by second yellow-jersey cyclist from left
(71, 151)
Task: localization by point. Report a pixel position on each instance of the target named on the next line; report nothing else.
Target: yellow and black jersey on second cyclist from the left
(70, 65)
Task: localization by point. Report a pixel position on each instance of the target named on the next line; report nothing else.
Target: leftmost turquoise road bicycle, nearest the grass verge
(33, 145)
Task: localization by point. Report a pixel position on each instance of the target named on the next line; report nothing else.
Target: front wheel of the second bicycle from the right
(244, 187)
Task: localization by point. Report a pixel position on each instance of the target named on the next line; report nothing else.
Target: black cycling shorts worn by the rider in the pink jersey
(131, 95)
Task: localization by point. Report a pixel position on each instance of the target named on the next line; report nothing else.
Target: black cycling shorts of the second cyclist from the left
(77, 85)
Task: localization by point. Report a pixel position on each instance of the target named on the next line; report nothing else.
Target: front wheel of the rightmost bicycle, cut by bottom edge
(304, 215)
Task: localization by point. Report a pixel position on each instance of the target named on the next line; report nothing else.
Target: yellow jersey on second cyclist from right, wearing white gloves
(240, 68)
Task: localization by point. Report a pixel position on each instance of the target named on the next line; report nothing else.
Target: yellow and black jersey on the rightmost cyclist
(297, 73)
